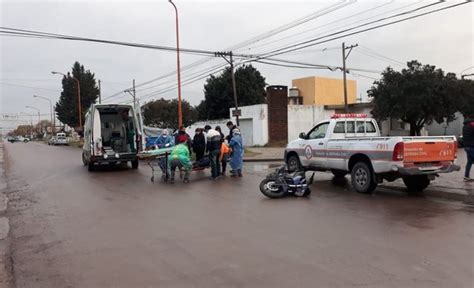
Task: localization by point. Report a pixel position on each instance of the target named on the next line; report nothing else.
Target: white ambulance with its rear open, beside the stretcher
(112, 134)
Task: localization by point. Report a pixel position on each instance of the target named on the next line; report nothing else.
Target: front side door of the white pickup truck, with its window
(315, 149)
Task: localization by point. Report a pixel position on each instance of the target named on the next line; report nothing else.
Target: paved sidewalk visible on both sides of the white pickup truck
(449, 186)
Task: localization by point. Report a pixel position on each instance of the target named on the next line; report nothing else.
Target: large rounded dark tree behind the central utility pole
(218, 93)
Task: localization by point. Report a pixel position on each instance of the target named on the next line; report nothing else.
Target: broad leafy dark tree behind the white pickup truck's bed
(419, 95)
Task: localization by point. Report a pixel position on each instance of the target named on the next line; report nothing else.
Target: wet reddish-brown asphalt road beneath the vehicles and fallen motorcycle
(114, 228)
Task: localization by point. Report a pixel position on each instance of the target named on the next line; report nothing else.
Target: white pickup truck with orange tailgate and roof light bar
(351, 143)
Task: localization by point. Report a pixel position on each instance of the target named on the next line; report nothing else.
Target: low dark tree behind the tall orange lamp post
(164, 113)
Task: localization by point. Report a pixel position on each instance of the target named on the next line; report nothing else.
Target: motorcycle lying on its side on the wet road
(282, 183)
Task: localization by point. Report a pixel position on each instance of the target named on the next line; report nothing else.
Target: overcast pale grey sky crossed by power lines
(444, 39)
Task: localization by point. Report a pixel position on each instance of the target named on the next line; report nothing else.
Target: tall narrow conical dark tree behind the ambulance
(67, 106)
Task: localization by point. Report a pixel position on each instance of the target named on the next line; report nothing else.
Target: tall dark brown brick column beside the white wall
(277, 99)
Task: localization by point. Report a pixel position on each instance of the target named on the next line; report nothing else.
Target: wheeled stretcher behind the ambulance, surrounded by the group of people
(158, 160)
